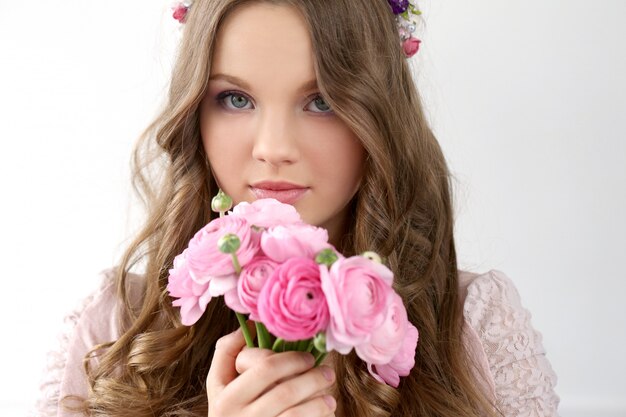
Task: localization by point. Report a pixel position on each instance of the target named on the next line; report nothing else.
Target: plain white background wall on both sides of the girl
(528, 99)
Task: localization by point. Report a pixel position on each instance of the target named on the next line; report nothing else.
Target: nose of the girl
(275, 142)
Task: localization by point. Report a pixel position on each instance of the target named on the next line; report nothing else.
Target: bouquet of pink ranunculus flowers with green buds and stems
(301, 293)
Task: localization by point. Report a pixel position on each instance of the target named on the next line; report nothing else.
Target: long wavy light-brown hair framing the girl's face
(403, 210)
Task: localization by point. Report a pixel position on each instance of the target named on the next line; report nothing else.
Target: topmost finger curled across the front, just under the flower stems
(257, 379)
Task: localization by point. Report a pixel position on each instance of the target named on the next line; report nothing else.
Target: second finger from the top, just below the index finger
(297, 390)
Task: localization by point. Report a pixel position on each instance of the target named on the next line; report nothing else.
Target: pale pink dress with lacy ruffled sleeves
(510, 360)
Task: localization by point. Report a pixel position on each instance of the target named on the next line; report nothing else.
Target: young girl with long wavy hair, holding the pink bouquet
(310, 102)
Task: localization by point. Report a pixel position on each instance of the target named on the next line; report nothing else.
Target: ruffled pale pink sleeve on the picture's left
(90, 324)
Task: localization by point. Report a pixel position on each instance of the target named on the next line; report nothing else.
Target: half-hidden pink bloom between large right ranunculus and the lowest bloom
(386, 340)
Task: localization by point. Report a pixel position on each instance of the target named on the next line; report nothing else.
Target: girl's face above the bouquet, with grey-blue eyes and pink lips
(265, 127)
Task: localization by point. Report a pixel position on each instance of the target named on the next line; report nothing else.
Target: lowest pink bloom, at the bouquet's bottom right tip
(402, 362)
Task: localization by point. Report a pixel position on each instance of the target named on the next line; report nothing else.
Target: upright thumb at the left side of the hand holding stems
(222, 370)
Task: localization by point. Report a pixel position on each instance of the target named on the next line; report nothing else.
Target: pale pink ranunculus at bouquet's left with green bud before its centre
(206, 262)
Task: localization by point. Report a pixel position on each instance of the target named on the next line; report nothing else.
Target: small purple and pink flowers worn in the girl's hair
(403, 9)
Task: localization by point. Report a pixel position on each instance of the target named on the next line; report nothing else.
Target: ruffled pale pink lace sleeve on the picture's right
(521, 375)
